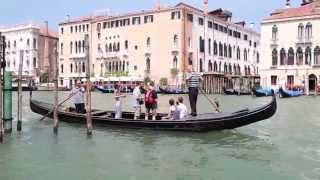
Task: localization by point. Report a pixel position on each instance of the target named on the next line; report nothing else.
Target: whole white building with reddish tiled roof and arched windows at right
(291, 47)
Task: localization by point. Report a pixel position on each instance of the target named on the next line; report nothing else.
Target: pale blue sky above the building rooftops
(55, 11)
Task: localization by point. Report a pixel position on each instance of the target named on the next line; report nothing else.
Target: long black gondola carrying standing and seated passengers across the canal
(201, 123)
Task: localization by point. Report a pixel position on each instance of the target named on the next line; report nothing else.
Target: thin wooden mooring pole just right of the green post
(19, 123)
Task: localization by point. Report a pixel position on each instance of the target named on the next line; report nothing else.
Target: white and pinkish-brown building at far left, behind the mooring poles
(37, 44)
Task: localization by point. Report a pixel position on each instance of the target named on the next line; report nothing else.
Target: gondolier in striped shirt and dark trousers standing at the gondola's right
(193, 82)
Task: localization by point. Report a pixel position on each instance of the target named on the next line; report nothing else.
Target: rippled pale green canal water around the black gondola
(285, 147)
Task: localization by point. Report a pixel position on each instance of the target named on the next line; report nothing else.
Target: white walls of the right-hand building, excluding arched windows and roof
(287, 38)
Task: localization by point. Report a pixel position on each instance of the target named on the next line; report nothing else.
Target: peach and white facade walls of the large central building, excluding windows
(169, 38)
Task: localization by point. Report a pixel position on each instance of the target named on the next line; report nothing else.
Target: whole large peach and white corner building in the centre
(160, 43)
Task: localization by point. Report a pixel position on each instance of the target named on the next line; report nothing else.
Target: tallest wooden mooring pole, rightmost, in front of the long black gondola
(88, 86)
